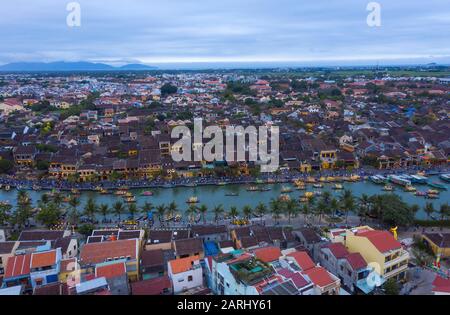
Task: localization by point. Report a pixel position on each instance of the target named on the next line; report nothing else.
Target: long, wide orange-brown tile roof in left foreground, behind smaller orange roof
(94, 253)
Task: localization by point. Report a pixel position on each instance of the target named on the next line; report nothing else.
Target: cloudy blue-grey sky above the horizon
(310, 32)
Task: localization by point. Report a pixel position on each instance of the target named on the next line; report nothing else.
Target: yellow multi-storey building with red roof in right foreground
(379, 248)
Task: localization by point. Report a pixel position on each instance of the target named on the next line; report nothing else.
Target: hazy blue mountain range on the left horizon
(70, 66)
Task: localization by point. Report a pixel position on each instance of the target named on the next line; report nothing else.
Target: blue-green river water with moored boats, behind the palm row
(214, 195)
